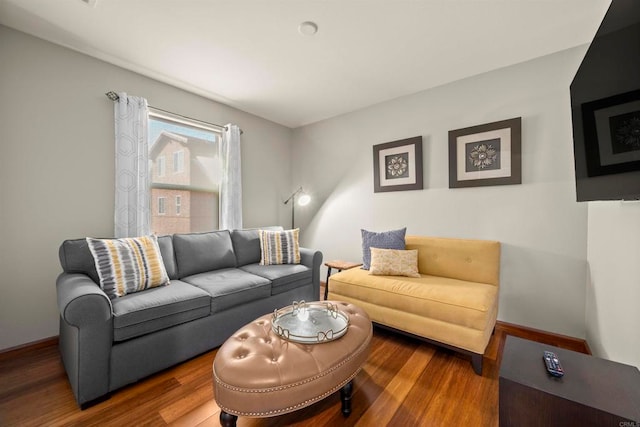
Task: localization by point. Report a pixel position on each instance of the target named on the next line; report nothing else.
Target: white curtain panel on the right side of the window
(231, 182)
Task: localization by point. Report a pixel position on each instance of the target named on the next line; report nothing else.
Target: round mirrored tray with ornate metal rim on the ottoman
(311, 323)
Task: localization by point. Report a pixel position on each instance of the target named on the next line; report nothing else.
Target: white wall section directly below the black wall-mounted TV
(613, 289)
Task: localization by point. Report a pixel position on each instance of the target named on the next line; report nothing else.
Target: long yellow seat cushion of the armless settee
(440, 298)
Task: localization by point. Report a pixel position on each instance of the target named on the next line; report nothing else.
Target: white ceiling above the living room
(249, 54)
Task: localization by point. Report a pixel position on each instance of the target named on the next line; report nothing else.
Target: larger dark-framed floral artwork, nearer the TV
(488, 154)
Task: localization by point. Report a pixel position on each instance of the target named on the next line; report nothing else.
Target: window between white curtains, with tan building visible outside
(189, 150)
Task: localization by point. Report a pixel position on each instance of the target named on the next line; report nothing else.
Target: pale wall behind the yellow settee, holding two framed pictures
(542, 228)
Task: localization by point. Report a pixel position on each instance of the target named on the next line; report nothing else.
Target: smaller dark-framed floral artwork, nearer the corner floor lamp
(397, 165)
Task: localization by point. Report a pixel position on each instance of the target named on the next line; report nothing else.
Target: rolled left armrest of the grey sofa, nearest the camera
(86, 336)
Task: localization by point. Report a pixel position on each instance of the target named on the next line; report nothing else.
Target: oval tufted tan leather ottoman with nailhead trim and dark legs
(259, 374)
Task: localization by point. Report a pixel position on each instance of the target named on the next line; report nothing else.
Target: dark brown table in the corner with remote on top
(593, 391)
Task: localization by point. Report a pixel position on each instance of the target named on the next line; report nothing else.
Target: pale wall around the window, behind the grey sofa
(57, 167)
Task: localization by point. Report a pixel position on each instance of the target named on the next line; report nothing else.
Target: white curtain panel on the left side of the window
(132, 216)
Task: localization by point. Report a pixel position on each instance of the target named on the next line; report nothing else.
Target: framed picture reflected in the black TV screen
(612, 134)
